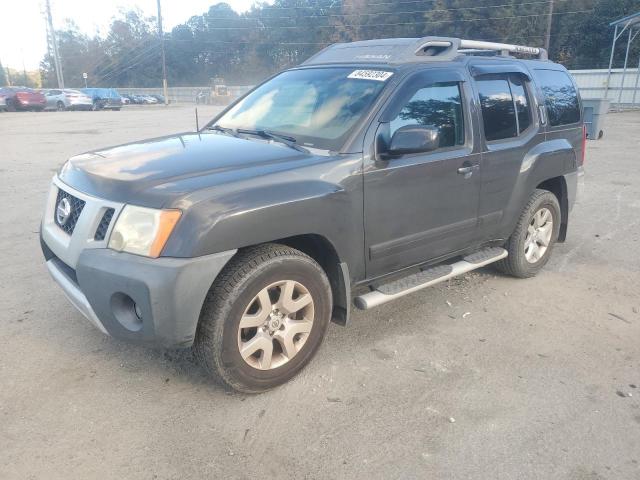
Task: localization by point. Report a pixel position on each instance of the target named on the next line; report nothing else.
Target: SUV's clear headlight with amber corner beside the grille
(143, 231)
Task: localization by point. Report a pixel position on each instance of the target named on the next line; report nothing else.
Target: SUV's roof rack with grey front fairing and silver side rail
(407, 50)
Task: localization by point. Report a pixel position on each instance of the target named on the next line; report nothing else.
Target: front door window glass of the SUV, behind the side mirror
(438, 105)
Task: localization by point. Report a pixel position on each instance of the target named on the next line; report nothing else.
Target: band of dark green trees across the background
(245, 48)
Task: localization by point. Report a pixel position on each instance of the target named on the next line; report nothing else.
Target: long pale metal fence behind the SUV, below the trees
(592, 84)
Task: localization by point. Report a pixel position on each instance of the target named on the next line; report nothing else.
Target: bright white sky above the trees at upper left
(24, 40)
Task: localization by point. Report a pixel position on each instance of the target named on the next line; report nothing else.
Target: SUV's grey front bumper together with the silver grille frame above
(144, 300)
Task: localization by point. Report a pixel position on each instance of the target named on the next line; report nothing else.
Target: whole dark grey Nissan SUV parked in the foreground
(379, 167)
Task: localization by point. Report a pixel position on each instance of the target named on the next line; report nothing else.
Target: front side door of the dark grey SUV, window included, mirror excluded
(422, 206)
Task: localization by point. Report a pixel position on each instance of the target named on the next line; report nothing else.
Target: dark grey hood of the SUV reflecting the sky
(154, 172)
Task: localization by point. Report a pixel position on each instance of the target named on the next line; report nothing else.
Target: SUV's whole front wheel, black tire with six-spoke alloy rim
(235, 296)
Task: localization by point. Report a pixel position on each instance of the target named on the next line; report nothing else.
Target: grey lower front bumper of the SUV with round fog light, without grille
(155, 301)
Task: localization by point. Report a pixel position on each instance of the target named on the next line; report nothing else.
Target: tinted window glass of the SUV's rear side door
(506, 110)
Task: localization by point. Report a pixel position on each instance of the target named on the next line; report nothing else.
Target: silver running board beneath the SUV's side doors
(427, 277)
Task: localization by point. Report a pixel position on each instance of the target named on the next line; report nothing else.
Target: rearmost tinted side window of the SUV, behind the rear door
(560, 97)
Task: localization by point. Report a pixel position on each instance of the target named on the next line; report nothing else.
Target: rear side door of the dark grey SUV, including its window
(510, 129)
